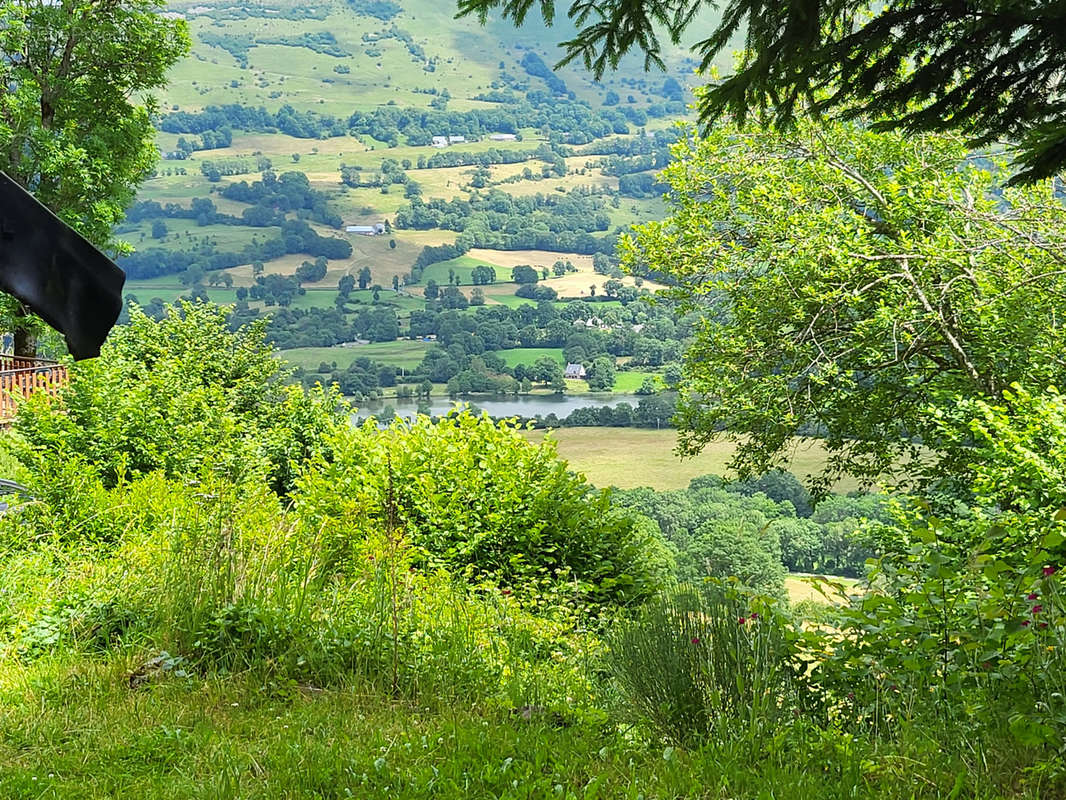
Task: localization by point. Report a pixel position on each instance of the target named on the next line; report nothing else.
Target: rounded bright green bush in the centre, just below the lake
(471, 495)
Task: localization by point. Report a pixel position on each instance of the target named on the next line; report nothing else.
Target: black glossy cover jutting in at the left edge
(57, 273)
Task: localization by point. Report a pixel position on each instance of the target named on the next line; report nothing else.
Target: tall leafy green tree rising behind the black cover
(75, 113)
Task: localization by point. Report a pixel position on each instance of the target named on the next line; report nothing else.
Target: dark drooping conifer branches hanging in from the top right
(993, 71)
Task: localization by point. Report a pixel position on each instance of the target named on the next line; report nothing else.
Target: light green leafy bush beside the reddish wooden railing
(174, 396)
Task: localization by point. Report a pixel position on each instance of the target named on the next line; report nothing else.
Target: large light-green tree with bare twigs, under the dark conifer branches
(862, 283)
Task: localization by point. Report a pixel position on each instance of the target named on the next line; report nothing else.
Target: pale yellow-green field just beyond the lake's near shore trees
(629, 458)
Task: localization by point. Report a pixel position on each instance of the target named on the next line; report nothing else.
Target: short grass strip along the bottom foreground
(74, 729)
